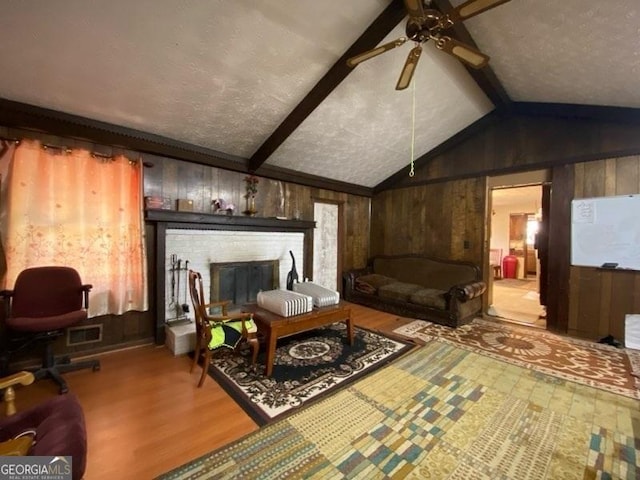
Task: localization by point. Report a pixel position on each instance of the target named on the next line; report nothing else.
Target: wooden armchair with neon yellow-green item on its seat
(216, 328)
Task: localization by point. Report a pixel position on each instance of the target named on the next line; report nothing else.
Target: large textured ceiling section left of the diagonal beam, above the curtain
(220, 74)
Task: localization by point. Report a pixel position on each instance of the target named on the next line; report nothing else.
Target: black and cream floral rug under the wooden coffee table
(306, 366)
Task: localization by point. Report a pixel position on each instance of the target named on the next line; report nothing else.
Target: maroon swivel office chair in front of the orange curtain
(43, 303)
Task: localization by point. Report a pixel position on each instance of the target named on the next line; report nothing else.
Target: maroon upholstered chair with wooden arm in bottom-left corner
(52, 428)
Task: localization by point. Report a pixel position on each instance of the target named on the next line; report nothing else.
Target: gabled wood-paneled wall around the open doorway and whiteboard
(444, 205)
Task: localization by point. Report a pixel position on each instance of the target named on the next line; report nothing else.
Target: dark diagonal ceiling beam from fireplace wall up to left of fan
(372, 36)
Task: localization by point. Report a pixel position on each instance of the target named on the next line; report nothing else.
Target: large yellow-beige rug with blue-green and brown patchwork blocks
(441, 412)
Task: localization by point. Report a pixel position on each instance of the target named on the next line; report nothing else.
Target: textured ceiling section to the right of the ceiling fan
(570, 51)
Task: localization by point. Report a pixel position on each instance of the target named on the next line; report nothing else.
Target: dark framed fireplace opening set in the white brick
(240, 282)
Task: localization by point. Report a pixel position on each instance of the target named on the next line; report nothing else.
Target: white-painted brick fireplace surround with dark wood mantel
(205, 240)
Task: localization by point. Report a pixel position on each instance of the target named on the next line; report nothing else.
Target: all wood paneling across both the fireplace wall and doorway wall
(442, 210)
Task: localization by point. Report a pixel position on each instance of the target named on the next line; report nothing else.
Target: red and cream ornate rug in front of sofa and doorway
(589, 363)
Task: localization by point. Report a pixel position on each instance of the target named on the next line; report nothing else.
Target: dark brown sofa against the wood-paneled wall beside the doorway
(442, 291)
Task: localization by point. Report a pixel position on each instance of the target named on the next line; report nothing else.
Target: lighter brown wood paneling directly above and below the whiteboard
(599, 299)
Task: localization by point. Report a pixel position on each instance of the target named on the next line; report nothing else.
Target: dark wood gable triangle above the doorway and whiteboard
(521, 142)
